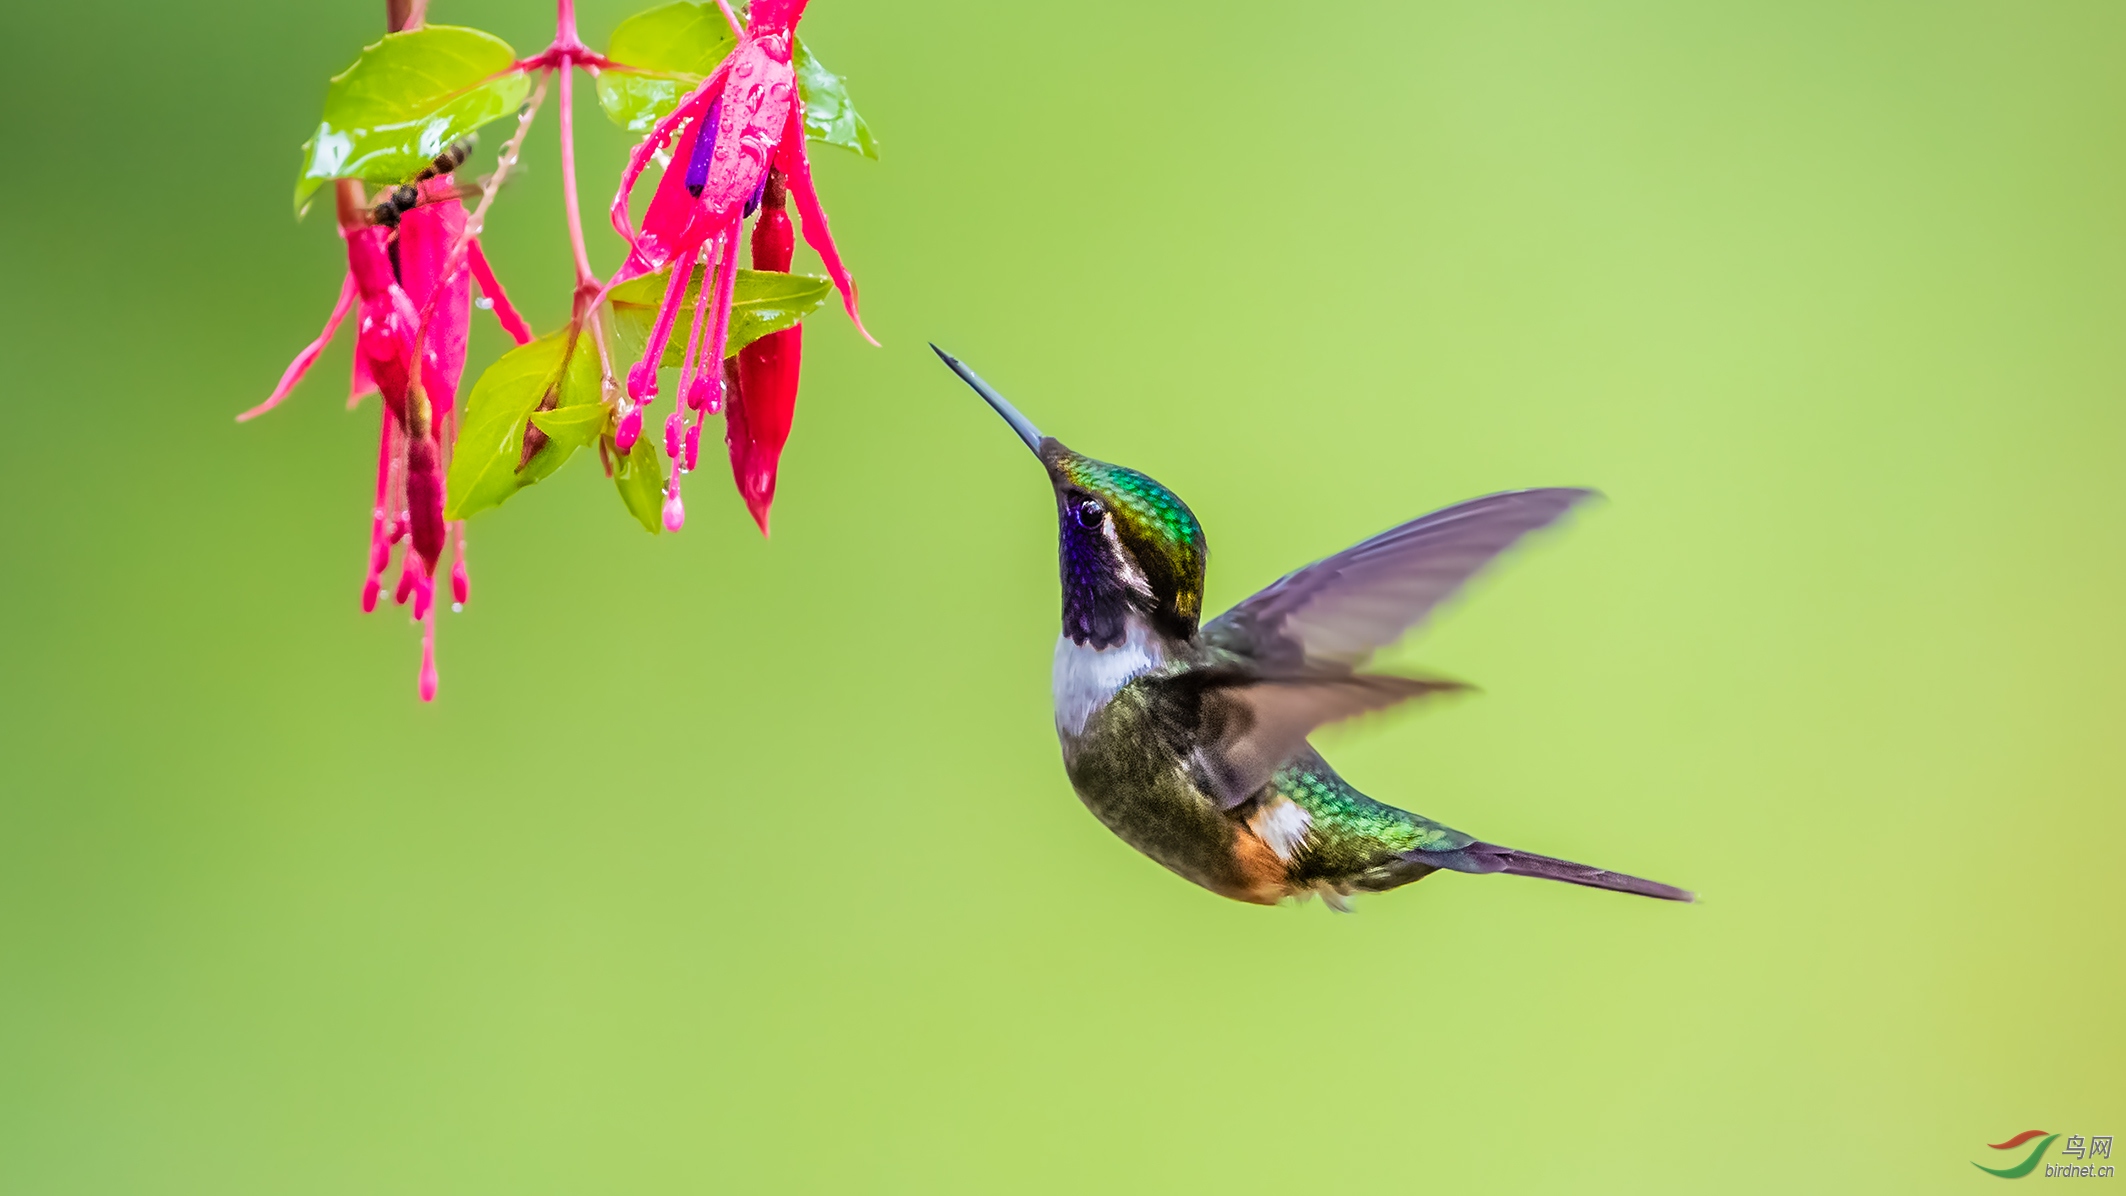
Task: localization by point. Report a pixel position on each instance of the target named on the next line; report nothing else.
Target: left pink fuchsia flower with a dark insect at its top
(411, 303)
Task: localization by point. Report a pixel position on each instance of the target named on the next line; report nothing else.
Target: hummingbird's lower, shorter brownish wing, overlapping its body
(1236, 730)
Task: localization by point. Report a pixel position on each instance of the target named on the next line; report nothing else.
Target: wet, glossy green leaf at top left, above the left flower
(405, 101)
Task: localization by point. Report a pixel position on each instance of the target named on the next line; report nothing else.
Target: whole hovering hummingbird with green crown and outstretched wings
(1189, 740)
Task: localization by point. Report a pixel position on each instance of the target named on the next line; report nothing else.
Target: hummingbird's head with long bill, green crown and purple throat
(1128, 545)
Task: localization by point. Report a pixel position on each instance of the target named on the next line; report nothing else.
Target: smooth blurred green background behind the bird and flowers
(749, 866)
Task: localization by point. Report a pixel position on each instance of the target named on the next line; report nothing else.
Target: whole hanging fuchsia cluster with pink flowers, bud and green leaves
(396, 131)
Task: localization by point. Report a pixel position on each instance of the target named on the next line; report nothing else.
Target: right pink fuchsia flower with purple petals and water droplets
(724, 137)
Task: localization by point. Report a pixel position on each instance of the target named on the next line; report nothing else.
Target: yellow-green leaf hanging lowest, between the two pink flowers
(490, 441)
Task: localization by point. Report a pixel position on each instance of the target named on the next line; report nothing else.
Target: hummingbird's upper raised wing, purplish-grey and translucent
(1340, 611)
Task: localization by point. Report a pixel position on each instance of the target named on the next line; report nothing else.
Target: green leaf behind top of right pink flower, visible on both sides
(675, 48)
